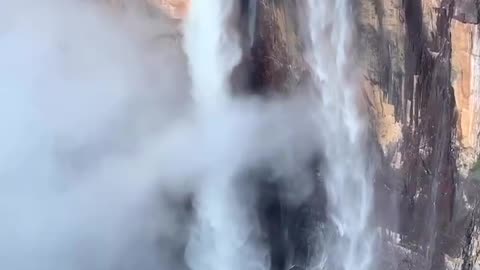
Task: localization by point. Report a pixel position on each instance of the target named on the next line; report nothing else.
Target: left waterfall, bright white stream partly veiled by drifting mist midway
(220, 238)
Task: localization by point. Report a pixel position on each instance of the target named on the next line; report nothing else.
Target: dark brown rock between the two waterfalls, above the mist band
(276, 48)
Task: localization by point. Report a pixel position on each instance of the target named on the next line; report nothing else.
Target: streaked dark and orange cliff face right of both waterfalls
(421, 80)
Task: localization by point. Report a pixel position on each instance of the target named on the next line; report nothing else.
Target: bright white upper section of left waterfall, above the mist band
(212, 51)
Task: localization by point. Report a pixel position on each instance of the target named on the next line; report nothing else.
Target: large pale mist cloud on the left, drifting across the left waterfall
(104, 157)
